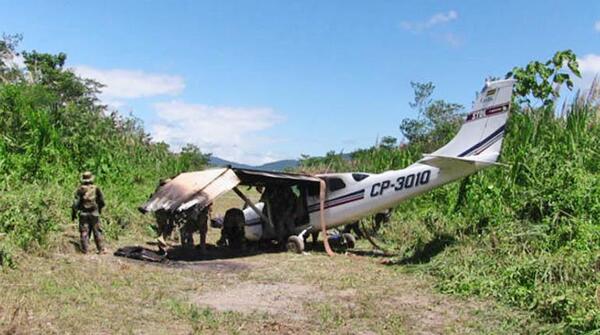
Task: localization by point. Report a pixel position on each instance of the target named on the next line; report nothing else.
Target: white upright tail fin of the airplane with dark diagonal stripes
(480, 137)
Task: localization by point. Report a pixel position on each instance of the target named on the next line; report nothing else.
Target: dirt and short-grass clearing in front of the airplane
(275, 293)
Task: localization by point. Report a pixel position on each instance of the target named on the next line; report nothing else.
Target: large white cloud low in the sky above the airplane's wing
(232, 133)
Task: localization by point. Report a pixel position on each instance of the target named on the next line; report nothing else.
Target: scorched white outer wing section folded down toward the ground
(191, 188)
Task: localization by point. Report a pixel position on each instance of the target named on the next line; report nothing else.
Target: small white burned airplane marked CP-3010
(326, 201)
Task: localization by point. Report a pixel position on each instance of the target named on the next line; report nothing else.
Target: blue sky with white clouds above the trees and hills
(255, 81)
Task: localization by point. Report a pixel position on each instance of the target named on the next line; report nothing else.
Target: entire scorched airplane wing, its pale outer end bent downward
(203, 187)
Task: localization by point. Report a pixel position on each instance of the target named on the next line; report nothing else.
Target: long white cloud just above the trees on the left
(130, 84)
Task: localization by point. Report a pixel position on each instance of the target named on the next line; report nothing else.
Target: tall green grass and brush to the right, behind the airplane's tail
(528, 234)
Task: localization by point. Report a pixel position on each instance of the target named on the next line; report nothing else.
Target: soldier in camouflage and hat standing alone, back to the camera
(88, 203)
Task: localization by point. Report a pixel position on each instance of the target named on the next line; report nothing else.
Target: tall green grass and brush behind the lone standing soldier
(47, 139)
